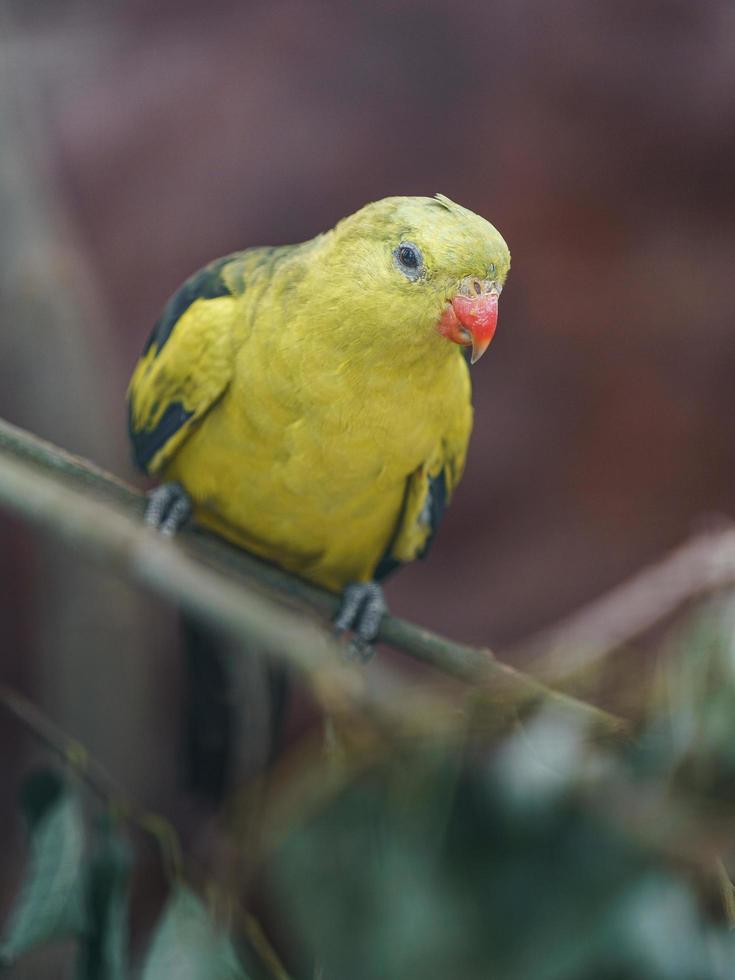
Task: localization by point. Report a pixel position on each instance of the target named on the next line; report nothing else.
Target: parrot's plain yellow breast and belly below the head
(306, 457)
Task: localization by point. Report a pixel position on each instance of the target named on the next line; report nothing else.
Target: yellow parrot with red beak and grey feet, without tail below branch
(311, 402)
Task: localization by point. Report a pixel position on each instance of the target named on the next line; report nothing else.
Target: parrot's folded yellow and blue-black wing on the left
(187, 363)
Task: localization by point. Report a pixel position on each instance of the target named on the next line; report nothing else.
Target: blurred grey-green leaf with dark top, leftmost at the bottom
(50, 903)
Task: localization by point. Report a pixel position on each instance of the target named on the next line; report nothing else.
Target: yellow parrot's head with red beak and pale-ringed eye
(423, 271)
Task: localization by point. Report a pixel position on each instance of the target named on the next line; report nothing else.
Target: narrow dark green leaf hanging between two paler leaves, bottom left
(103, 954)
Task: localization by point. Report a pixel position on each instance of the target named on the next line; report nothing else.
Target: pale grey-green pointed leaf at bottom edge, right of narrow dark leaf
(188, 944)
